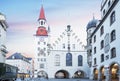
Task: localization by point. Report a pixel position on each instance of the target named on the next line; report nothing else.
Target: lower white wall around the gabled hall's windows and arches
(52, 69)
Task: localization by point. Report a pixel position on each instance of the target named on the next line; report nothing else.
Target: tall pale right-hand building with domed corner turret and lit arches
(103, 43)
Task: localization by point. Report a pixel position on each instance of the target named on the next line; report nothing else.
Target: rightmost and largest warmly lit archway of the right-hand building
(114, 69)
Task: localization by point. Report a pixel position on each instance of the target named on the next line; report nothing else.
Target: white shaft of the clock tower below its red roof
(39, 58)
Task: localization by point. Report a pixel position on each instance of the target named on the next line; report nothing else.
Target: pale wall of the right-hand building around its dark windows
(108, 28)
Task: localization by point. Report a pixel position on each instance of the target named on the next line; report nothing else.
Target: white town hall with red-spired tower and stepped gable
(64, 57)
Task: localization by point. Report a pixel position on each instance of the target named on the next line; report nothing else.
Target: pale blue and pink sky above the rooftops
(22, 16)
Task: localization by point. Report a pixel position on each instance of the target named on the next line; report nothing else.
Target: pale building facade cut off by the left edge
(3, 27)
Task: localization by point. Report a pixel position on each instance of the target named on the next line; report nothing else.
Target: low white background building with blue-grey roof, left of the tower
(23, 63)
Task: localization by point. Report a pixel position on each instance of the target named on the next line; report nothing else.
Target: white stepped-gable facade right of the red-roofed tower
(58, 57)
